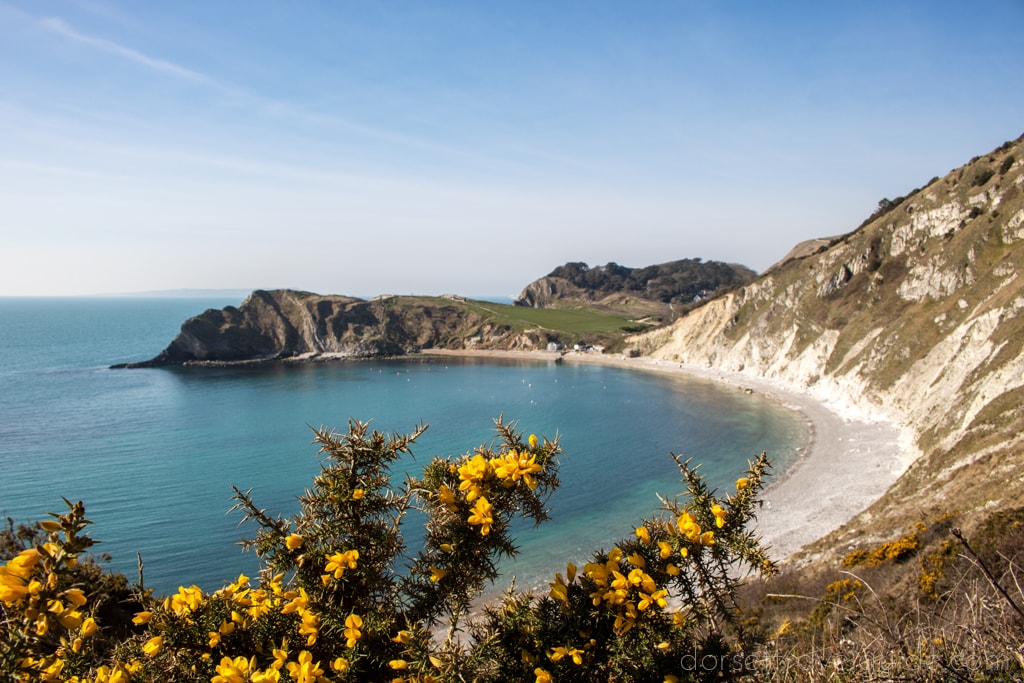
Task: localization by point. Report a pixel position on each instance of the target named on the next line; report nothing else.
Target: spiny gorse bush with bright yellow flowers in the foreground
(340, 597)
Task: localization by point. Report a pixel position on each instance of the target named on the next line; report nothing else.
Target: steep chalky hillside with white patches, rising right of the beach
(915, 317)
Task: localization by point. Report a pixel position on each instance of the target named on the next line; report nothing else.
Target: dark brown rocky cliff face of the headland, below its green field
(283, 325)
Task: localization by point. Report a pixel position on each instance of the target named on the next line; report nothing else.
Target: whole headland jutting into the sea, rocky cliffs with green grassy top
(289, 325)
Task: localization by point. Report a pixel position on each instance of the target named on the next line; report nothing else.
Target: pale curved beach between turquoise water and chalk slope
(848, 464)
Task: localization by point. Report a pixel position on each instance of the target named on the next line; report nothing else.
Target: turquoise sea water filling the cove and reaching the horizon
(153, 453)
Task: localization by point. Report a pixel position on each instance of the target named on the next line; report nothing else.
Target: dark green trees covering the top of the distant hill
(675, 282)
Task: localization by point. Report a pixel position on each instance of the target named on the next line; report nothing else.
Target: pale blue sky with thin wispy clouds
(365, 148)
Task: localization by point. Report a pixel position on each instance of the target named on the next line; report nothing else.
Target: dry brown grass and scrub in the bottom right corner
(952, 611)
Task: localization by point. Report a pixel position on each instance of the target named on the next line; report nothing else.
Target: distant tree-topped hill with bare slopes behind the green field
(663, 291)
